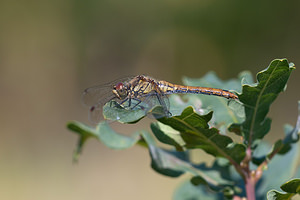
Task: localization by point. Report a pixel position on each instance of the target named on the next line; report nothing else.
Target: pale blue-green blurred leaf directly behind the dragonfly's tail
(223, 114)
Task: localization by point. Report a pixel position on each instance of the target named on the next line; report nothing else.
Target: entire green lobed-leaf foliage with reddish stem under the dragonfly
(203, 122)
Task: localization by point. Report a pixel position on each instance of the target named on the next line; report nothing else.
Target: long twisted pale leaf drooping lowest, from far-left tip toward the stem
(169, 163)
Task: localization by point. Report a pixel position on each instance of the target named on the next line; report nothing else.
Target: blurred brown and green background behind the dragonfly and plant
(50, 51)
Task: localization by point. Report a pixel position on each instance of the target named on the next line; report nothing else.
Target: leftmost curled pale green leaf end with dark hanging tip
(103, 133)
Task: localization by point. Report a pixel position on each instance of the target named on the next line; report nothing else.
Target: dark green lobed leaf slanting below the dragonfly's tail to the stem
(195, 132)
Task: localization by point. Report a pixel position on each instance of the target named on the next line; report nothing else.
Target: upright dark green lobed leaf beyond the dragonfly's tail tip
(258, 98)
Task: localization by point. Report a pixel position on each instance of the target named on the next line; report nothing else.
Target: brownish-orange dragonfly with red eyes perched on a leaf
(141, 92)
